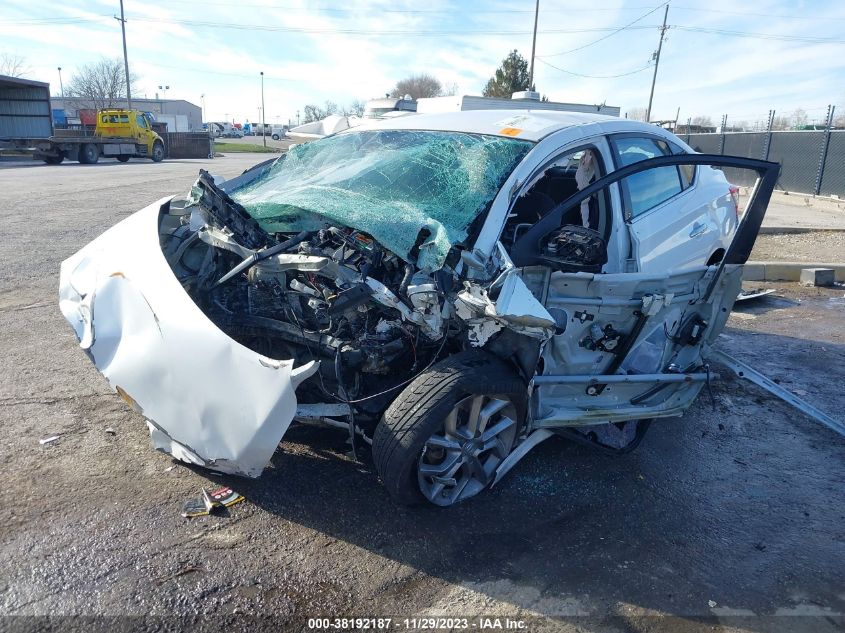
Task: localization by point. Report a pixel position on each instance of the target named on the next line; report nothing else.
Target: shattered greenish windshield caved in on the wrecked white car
(406, 188)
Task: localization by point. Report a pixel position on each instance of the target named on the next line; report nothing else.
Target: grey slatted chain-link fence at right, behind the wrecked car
(811, 161)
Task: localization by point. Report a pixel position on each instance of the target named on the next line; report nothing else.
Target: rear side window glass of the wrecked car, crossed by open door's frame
(650, 188)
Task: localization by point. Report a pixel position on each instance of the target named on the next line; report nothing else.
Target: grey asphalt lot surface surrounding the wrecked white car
(726, 520)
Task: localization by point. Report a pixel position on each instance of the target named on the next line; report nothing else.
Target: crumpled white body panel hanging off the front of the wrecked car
(208, 399)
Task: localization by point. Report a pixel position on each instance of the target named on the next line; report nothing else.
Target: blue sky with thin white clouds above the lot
(358, 49)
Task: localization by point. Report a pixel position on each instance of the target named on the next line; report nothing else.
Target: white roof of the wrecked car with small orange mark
(531, 125)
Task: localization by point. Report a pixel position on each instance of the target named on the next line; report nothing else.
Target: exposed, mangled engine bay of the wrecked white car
(334, 295)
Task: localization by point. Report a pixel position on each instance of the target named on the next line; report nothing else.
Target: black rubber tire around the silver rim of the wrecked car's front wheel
(420, 410)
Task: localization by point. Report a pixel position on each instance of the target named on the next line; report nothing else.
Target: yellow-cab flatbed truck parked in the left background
(120, 134)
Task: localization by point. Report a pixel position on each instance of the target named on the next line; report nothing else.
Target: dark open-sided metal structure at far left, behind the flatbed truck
(24, 108)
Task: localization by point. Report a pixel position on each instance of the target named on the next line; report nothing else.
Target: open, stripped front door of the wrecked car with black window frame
(629, 346)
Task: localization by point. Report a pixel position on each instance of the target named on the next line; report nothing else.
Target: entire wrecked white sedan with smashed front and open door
(448, 289)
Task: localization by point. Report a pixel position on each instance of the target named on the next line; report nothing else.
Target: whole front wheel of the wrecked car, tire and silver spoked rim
(445, 435)
